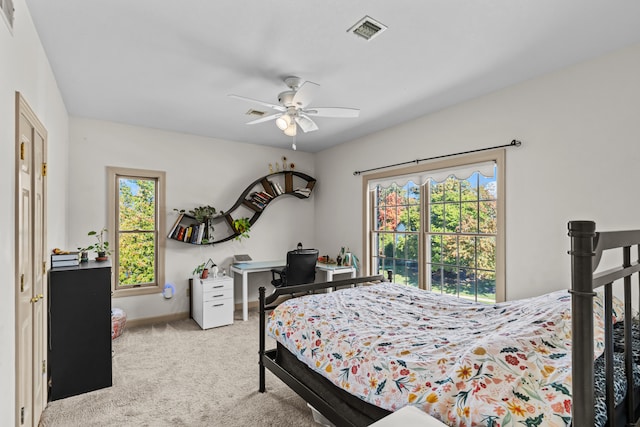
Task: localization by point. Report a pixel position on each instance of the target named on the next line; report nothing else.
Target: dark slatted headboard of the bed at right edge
(587, 247)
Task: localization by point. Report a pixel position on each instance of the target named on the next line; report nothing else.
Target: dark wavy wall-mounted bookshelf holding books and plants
(198, 229)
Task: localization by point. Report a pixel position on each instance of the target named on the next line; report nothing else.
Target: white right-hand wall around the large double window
(580, 159)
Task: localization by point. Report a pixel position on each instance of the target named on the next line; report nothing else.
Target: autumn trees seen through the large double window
(461, 240)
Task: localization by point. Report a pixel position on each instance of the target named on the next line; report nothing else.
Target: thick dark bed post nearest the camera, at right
(582, 235)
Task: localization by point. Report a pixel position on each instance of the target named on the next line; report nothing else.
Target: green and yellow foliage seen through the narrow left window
(137, 231)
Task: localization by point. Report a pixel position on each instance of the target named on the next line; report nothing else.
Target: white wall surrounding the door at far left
(25, 68)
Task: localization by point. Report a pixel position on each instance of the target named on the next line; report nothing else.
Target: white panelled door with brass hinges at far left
(31, 391)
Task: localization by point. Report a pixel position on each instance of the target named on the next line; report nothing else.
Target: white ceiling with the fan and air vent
(171, 64)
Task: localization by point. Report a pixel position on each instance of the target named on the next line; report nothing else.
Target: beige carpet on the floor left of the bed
(176, 374)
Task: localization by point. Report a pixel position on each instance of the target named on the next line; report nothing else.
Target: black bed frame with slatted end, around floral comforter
(587, 247)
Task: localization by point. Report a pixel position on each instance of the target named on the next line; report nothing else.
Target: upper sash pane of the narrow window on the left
(137, 202)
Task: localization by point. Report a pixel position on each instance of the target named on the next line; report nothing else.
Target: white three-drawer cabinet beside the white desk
(212, 301)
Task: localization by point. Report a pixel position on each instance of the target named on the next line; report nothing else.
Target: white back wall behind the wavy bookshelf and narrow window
(199, 171)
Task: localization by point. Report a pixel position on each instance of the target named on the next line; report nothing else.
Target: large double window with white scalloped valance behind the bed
(439, 226)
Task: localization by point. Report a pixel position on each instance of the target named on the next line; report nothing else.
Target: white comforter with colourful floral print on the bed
(467, 364)
